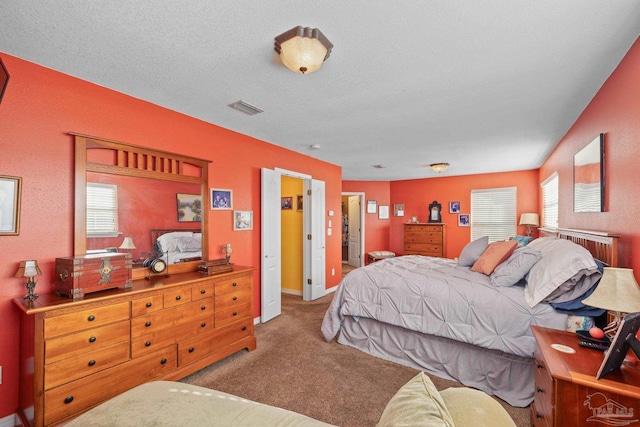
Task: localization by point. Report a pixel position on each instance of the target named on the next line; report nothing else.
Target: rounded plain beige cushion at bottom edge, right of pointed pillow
(470, 407)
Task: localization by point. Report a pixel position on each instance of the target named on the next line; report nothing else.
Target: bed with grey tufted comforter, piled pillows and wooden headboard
(437, 315)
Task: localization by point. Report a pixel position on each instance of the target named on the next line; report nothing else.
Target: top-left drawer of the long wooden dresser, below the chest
(85, 319)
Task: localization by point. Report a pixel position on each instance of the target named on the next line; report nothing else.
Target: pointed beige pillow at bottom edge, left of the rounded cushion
(417, 403)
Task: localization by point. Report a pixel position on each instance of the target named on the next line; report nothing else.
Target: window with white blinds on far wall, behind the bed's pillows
(494, 213)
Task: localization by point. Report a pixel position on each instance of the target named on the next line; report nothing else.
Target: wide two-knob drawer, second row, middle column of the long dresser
(171, 317)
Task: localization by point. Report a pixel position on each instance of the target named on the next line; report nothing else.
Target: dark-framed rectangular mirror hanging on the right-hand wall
(588, 177)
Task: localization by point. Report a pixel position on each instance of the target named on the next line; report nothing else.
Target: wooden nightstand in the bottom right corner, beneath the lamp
(567, 392)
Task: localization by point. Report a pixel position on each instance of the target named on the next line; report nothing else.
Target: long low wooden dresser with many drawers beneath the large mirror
(77, 354)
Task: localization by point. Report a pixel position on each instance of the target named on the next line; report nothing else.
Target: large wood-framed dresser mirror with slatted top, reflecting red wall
(148, 183)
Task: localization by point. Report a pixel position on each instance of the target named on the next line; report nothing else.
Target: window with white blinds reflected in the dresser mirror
(102, 209)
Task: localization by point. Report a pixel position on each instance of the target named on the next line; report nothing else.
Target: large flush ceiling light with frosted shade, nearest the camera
(303, 49)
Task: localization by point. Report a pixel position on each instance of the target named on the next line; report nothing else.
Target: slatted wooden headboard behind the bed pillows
(602, 245)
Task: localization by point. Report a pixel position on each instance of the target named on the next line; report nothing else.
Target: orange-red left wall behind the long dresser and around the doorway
(40, 106)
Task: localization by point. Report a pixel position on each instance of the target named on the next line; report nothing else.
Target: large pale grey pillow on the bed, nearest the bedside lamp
(565, 270)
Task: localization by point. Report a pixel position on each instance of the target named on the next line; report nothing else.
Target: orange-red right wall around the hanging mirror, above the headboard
(614, 111)
